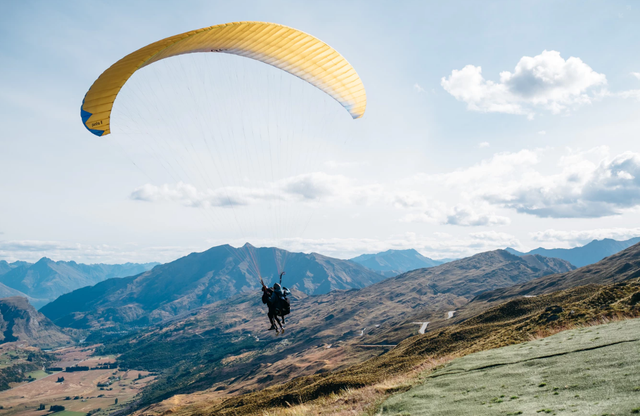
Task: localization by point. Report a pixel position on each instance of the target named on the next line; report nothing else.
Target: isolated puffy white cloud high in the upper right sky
(545, 81)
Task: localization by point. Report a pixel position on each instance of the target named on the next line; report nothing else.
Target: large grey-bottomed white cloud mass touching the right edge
(590, 184)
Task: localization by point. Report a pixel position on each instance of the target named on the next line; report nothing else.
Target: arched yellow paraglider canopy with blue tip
(286, 48)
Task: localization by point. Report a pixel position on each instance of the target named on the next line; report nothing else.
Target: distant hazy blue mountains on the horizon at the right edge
(584, 255)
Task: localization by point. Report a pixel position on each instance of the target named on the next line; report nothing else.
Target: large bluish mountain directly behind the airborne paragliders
(200, 279)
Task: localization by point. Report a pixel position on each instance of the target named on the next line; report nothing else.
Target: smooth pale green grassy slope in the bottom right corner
(592, 370)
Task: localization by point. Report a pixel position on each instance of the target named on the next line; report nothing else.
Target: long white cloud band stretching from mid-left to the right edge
(585, 184)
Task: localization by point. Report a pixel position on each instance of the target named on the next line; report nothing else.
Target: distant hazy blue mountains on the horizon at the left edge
(45, 280)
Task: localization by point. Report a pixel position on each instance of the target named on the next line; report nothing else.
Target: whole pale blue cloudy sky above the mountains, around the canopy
(488, 124)
